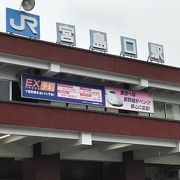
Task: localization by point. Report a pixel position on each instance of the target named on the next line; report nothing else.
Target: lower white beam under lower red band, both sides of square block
(52, 133)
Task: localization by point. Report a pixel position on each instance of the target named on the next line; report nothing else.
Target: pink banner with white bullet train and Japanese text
(129, 100)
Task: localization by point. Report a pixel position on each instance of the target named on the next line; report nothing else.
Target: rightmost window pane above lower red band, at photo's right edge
(173, 111)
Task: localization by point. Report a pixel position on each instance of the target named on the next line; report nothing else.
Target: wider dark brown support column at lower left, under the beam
(46, 167)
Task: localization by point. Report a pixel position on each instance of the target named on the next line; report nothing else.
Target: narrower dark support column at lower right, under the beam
(132, 169)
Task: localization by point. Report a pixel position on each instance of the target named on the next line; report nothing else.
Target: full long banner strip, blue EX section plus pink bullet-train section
(44, 88)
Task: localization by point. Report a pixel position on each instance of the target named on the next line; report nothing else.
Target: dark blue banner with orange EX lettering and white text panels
(37, 87)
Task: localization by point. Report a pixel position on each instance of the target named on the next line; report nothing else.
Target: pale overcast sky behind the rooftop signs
(156, 21)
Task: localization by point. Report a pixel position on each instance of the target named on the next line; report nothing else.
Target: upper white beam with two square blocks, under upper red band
(54, 68)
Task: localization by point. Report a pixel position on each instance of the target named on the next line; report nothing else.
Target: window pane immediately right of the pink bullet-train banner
(159, 110)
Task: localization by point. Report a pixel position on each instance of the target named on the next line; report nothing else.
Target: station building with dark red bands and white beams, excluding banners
(49, 140)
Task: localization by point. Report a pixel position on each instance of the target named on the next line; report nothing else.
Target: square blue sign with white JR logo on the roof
(22, 23)
